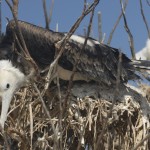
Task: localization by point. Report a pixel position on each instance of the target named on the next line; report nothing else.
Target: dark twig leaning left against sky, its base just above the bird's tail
(128, 31)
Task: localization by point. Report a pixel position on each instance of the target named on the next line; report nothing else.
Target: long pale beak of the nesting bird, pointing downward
(6, 99)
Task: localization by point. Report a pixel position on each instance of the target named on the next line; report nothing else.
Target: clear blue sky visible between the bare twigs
(66, 12)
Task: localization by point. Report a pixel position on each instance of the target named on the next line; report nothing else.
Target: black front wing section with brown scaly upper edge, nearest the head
(39, 41)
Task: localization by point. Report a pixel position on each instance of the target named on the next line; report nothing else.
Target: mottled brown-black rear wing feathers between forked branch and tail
(98, 61)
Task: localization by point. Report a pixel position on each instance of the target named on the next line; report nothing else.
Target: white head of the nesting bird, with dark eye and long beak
(11, 78)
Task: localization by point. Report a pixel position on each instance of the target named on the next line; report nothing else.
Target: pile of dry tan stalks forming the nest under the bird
(88, 120)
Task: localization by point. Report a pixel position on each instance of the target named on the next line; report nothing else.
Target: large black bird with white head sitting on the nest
(98, 62)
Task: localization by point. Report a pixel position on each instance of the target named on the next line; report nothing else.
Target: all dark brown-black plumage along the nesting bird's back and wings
(98, 62)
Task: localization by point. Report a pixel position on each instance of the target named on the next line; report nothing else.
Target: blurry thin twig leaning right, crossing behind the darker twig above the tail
(116, 24)
